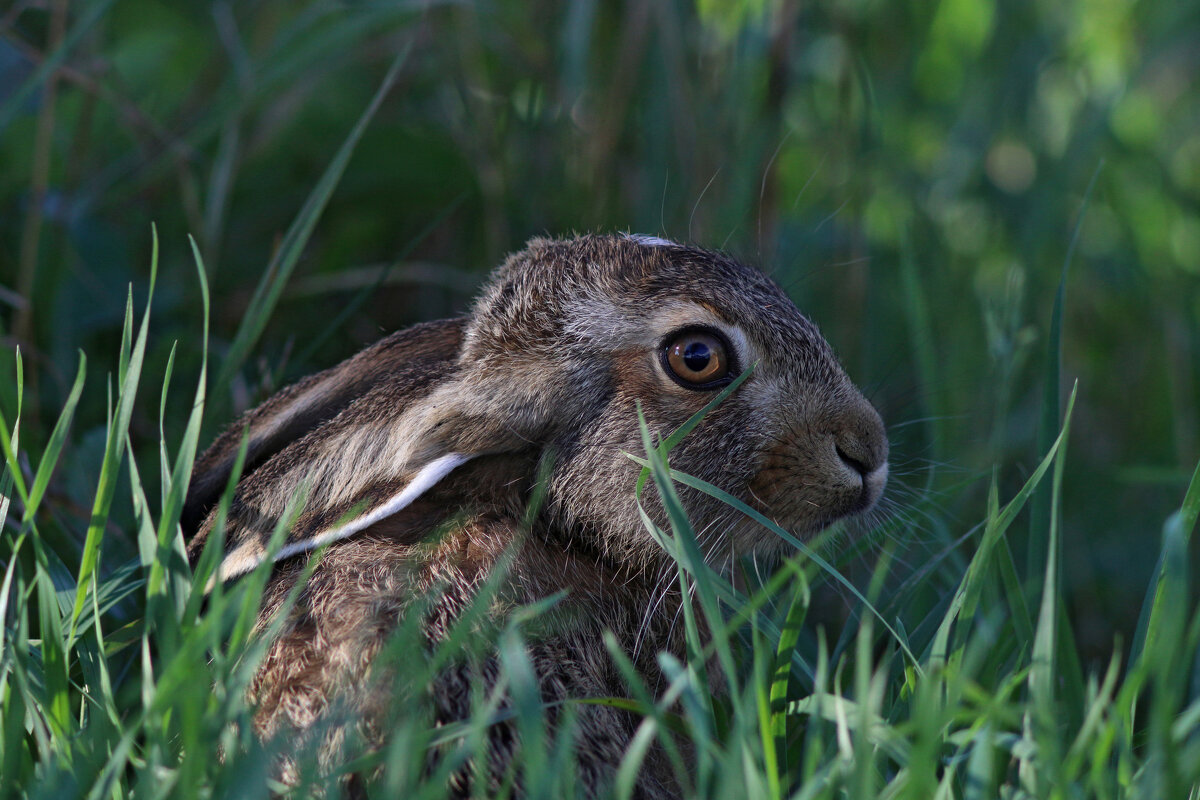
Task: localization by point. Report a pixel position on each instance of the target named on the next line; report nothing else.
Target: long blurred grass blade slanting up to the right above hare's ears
(279, 272)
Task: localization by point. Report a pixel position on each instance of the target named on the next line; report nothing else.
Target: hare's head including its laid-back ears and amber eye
(547, 372)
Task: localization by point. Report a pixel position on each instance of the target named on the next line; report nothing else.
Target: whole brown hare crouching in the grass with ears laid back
(448, 426)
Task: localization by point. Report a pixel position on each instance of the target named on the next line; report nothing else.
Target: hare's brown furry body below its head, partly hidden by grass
(353, 603)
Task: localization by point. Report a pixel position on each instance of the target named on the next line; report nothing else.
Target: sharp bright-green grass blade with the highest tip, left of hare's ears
(115, 443)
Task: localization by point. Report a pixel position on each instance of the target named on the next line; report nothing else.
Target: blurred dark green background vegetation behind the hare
(913, 172)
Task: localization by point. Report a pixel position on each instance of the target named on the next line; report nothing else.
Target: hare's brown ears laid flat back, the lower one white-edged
(371, 455)
